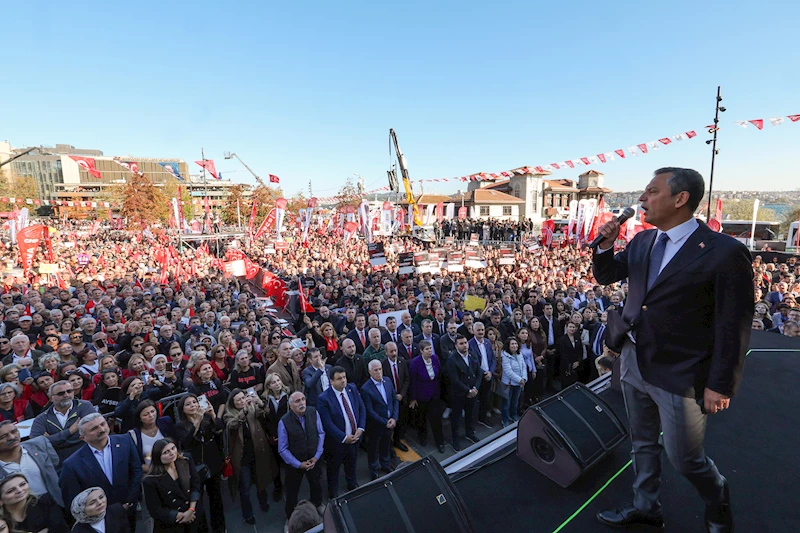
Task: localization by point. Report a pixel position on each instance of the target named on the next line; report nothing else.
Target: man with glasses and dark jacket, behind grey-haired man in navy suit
(59, 422)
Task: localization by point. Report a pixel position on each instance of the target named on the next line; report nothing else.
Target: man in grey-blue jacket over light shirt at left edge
(35, 458)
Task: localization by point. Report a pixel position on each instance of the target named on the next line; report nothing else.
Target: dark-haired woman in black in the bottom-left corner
(25, 512)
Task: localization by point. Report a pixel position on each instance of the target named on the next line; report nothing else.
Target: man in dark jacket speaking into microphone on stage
(684, 332)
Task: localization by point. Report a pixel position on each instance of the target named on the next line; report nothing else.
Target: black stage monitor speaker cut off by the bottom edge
(416, 498)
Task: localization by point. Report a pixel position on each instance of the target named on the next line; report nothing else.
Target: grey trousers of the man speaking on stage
(652, 410)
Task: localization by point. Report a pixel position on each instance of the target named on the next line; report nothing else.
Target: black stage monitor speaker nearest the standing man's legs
(566, 434)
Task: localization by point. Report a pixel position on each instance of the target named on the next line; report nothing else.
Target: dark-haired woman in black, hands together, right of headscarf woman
(172, 490)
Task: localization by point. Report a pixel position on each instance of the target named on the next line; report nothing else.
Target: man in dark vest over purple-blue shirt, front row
(301, 438)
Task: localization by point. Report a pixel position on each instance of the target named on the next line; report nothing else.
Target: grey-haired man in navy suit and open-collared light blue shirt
(109, 462)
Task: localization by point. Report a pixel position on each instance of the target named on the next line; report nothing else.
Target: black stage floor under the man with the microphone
(754, 444)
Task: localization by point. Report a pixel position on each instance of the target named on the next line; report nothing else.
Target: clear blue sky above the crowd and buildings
(309, 90)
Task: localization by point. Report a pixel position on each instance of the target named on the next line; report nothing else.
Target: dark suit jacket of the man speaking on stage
(693, 326)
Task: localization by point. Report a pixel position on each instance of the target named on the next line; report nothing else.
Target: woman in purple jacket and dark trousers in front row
(424, 393)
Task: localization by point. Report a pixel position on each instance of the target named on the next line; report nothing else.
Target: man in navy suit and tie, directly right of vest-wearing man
(344, 418)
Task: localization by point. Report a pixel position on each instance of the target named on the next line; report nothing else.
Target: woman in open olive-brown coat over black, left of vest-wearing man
(245, 418)
